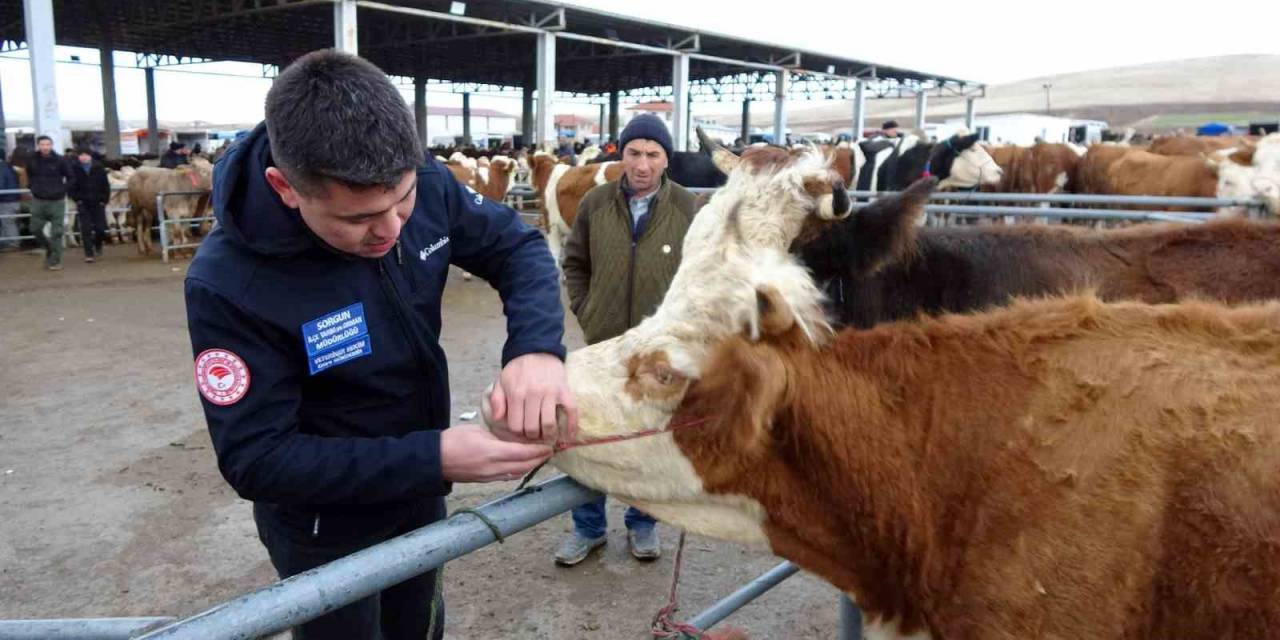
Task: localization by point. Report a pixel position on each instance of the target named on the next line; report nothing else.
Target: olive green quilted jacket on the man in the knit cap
(614, 282)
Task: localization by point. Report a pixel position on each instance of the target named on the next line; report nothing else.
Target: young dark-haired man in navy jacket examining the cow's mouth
(314, 310)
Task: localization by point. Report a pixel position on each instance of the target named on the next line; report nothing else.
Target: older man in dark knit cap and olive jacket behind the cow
(619, 263)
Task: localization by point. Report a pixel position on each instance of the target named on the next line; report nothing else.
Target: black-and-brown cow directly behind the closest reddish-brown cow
(886, 268)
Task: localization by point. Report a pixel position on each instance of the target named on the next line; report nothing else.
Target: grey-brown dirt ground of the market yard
(112, 505)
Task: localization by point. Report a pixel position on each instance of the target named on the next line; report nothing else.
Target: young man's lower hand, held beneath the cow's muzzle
(472, 454)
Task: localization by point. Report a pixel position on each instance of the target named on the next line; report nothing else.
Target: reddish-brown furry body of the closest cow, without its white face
(1062, 469)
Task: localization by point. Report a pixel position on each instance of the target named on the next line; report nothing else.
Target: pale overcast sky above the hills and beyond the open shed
(991, 42)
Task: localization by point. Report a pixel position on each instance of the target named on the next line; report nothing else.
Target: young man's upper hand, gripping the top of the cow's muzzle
(528, 394)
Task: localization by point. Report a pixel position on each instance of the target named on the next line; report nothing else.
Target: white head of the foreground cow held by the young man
(735, 248)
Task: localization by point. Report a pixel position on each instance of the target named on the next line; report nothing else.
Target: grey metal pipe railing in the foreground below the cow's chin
(310, 595)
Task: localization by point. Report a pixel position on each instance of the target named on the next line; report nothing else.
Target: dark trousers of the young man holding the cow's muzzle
(296, 542)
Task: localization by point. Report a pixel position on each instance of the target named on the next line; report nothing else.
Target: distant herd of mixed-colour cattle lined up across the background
(1238, 168)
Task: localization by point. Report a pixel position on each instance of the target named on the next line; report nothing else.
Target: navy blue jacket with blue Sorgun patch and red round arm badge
(364, 435)
